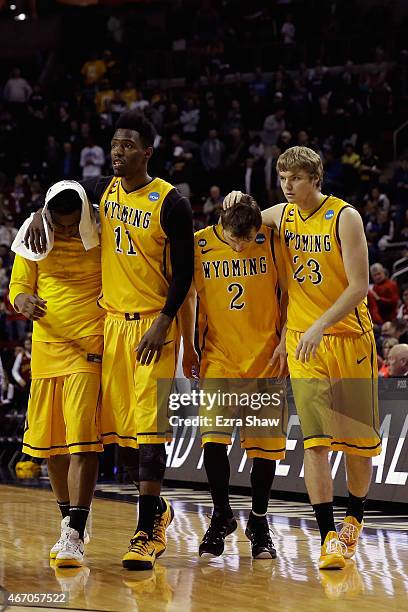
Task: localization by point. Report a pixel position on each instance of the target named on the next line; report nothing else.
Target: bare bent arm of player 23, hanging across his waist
(355, 260)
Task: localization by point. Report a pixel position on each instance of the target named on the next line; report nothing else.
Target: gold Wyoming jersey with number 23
(314, 267)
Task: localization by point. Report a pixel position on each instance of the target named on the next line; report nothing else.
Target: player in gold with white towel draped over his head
(62, 422)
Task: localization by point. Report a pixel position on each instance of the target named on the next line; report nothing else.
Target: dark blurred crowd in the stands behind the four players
(228, 89)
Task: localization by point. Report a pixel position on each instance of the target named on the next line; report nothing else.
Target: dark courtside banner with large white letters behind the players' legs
(390, 474)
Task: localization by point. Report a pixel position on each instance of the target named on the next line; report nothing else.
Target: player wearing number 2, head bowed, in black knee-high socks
(239, 332)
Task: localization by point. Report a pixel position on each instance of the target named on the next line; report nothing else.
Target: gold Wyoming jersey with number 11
(136, 269)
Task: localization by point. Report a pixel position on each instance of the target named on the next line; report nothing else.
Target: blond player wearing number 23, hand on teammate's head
(329, 342)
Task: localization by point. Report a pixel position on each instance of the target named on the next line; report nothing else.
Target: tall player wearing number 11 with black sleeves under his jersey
(147, 267)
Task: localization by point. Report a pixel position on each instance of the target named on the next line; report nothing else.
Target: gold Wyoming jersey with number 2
(238, 304)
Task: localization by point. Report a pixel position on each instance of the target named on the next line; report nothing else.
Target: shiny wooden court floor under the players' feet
(377, 580)
